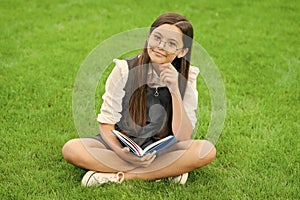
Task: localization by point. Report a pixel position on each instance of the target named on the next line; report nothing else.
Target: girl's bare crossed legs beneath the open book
(182, 157)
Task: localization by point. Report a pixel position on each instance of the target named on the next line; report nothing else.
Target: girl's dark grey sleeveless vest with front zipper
(158, 112)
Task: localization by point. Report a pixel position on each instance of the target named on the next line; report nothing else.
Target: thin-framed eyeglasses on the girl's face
(155, 40)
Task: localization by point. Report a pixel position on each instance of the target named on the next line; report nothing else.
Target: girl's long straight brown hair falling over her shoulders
(137, 102)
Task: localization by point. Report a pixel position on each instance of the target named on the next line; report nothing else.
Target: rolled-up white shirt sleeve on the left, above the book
(114, 93)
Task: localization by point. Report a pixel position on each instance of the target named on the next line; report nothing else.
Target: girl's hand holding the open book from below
(144, 161)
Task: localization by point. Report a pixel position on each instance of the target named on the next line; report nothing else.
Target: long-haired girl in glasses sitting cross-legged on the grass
(147, 97)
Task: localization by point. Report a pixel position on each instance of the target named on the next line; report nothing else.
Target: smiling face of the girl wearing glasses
(165, 44)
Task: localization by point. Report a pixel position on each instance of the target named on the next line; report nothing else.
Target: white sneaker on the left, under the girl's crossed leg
(97, 178)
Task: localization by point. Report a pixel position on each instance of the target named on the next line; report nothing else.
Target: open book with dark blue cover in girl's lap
(137, 150)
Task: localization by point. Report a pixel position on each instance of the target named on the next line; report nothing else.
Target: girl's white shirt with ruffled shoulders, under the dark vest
(114, 93)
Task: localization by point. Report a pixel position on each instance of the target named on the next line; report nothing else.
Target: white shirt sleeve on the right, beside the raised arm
(190, 100)
